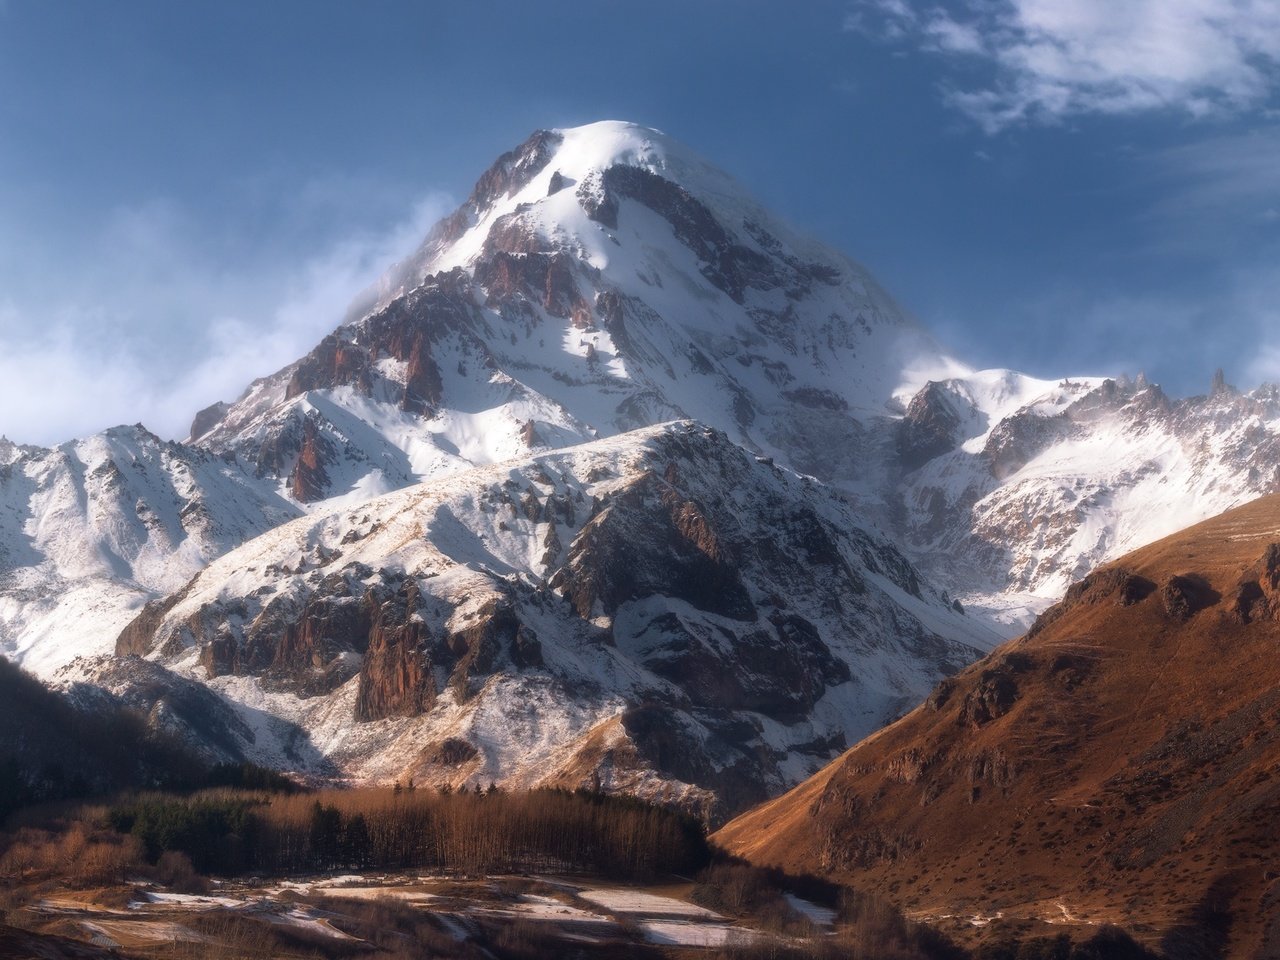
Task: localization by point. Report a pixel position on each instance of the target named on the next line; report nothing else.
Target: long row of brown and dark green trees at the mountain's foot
(231, 833)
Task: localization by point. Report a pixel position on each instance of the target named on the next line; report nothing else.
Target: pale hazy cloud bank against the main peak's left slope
(164, 321)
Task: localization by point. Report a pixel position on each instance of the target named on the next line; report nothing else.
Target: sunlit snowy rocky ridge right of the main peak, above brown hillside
(1028, 486)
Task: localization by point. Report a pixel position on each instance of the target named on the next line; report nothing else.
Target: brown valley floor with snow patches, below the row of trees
(387, 916)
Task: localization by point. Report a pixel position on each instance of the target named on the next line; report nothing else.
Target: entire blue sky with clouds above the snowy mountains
(190, 193)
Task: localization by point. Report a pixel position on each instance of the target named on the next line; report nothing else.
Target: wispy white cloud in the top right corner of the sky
(1054, 60)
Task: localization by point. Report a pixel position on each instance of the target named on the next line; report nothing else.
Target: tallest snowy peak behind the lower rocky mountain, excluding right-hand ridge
(597, 280)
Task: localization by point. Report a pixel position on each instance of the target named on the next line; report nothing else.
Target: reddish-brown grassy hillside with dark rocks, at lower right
(1114, 766)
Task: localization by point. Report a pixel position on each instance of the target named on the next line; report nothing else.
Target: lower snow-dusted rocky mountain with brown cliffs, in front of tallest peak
(661, 611)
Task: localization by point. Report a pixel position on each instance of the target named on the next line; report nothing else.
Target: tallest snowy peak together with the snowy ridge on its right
(605, 278)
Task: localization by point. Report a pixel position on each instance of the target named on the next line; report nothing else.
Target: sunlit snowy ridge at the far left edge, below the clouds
(93, 529)
